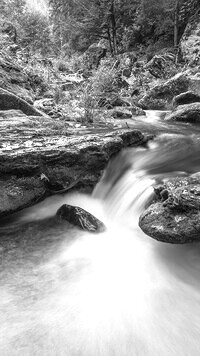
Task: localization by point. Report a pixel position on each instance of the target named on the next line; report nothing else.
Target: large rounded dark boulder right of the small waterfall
(175, 215)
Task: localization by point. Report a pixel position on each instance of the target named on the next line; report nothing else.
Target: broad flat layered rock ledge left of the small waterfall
(31, 146)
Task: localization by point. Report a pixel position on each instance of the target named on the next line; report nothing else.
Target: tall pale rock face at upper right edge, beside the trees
(190, 41)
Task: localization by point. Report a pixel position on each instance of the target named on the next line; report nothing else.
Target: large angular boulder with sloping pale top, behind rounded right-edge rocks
(161, 95)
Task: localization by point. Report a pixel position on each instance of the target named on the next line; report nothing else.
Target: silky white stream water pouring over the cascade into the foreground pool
(117, 293)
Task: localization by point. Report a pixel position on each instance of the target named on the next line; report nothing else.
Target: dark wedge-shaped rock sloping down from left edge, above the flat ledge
(10, 101)
